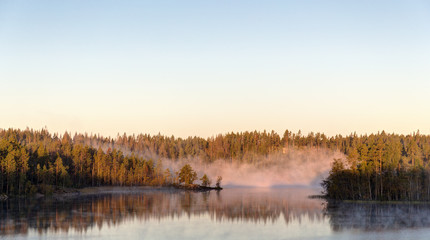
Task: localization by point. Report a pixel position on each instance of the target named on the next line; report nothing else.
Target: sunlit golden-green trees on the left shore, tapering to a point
(35, 161)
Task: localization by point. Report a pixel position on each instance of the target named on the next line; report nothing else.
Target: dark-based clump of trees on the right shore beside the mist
(382, 167)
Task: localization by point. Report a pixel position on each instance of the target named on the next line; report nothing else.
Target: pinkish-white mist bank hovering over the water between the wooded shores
(295, 167)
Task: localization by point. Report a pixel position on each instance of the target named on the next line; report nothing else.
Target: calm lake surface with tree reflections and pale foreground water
(241, 213)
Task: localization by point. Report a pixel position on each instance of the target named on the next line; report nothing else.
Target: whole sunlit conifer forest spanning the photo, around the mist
(378, 166)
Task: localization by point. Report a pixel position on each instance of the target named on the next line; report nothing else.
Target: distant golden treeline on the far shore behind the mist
(236, 147)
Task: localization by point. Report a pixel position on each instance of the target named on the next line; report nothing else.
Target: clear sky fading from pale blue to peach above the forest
(200, 68)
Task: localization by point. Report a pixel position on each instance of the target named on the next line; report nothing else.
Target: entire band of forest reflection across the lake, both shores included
(258, 206)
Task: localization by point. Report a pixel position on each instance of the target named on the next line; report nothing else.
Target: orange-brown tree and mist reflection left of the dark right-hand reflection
(85, 212)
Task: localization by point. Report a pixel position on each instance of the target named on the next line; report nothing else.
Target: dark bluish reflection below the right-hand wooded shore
(377, 216)
